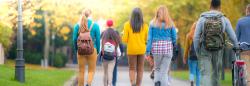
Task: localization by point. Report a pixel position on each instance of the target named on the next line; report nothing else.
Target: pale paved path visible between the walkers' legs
(123, 79)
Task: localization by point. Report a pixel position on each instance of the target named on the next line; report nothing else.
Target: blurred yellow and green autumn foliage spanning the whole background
(65, 13)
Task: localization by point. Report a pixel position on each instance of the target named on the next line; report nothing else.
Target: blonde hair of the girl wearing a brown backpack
(83, 23)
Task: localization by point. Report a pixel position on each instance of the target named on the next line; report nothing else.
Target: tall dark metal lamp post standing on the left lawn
(19, 68)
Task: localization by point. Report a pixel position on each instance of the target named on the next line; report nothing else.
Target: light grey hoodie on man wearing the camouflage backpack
(227, 27)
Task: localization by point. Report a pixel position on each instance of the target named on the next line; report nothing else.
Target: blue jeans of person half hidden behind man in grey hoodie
(194, 71)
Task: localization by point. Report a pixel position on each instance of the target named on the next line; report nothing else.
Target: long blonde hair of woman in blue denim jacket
(162, 15)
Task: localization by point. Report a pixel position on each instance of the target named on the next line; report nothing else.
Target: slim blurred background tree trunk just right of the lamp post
(47, 40)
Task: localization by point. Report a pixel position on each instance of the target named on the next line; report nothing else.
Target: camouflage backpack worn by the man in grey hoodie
(213, 37)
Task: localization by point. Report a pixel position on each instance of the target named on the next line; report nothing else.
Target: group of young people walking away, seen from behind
(155, 43)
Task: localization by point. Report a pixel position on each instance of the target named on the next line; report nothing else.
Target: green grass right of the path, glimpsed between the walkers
(184, 75)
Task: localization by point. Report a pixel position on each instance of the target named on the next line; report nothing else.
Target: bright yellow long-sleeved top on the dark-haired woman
(136, 42)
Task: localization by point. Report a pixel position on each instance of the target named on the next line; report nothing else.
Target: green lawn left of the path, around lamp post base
(35, 76)
